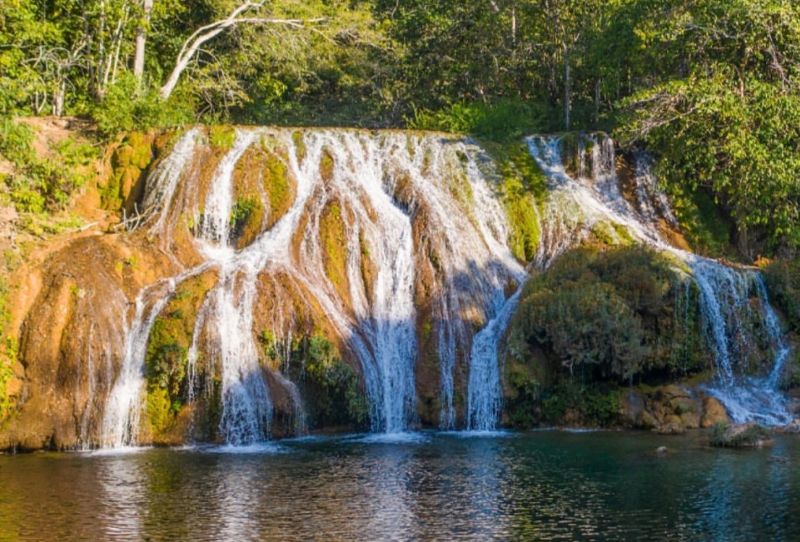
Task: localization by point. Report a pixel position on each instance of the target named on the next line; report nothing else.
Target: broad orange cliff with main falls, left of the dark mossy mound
(265, 281)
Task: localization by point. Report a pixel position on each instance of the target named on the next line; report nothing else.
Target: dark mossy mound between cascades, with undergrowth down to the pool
(598, 319)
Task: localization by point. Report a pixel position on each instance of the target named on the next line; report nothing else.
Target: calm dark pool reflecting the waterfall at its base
(543, 485)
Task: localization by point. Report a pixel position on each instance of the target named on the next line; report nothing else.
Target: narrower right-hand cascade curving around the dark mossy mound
(578, 206)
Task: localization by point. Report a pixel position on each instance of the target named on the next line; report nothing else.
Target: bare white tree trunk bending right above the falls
(209, 31)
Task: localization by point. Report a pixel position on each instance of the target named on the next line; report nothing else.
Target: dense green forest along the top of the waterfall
(710, 87)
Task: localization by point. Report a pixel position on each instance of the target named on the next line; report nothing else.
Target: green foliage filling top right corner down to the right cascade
(726, 122)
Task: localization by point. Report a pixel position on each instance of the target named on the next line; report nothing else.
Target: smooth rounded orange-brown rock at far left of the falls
(71, 340)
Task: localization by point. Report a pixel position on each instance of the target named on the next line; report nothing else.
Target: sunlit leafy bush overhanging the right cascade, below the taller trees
(736, 140)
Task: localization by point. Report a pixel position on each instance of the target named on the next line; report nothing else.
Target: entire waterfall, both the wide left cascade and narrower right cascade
(395, 245)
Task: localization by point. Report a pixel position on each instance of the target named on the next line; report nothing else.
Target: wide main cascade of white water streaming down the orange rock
(405, 204)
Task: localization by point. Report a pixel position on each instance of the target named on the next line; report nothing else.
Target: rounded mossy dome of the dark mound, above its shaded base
(614, 314)
